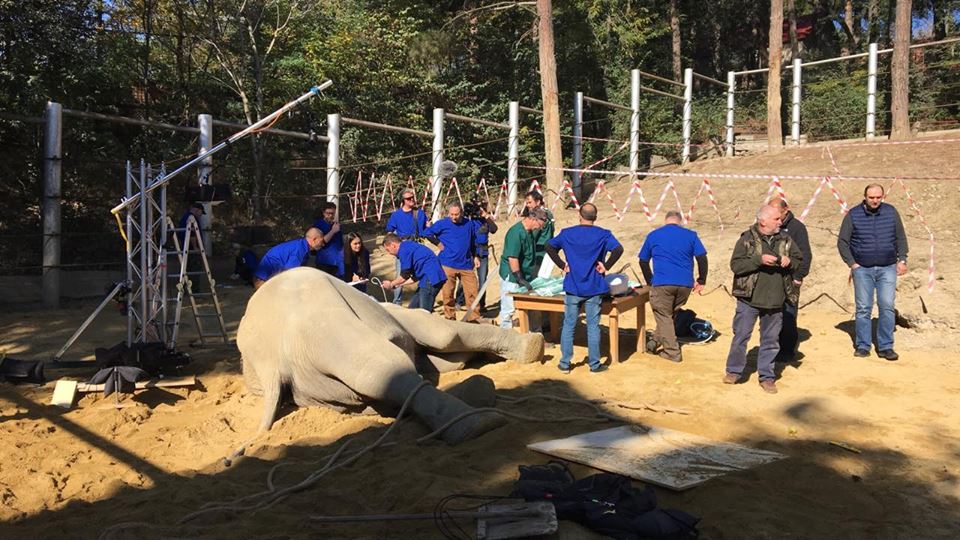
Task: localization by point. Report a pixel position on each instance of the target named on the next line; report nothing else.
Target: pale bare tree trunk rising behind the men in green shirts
(548, 90)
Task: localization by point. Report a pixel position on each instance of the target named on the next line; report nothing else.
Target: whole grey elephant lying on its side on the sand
(330, 344)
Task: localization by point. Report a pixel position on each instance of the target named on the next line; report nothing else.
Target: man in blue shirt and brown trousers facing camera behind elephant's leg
(457, 238)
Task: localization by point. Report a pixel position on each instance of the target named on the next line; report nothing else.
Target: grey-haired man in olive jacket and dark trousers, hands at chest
(763, 263)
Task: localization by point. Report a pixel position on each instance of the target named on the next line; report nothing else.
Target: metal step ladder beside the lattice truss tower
(204, 305)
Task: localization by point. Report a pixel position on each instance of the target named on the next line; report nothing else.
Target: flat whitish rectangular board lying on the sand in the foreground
(659, 456)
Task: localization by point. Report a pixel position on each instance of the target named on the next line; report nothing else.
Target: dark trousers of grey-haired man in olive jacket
(743, 321)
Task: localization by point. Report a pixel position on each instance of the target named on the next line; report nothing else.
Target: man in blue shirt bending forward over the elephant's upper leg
(417, 264)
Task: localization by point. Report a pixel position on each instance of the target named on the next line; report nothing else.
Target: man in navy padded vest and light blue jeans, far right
(873, 243)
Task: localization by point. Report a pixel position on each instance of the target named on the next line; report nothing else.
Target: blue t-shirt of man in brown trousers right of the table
(672, 249)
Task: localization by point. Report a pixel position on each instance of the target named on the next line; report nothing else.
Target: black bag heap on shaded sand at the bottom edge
(606, 503)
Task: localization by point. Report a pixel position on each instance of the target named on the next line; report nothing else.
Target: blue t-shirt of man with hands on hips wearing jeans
(583, 247)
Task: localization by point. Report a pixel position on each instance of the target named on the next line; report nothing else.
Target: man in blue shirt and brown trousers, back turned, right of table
(672, 248)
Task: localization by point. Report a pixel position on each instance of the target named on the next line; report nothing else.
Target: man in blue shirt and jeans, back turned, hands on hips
(585, 246)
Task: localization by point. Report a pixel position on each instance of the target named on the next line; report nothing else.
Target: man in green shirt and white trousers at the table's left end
(518, 261)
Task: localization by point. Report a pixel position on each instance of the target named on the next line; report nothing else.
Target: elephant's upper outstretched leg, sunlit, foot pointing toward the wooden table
(442, 336)
